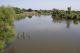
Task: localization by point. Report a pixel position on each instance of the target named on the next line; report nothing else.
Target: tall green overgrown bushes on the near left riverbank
(7, 15)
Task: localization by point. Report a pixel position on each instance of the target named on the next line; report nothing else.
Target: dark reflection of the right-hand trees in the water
(67, 21)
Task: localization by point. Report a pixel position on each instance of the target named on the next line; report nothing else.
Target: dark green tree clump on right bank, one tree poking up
(66, 14)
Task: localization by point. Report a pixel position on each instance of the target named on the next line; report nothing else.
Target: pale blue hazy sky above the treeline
(43, 4)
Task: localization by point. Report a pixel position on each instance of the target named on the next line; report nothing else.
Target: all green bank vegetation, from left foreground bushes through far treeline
(8, 14)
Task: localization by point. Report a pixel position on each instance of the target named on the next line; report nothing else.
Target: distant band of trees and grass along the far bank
(66, 14)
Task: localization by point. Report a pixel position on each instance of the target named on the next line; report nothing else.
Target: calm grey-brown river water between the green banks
(44, 34)
